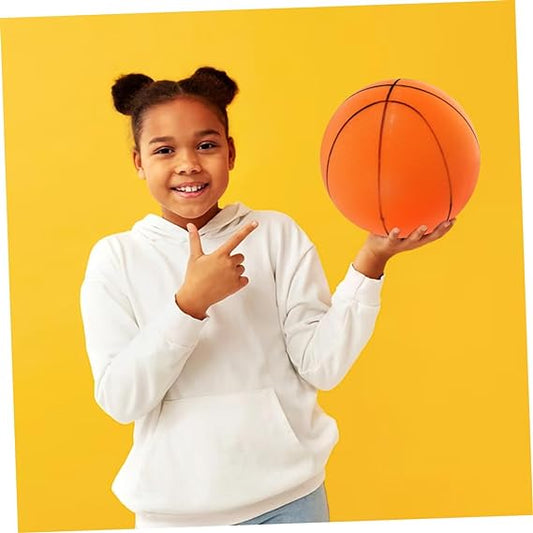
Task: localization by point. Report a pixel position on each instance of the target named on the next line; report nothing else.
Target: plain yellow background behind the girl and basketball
(434, 416)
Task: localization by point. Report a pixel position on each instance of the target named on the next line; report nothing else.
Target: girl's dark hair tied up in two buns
(134, 94)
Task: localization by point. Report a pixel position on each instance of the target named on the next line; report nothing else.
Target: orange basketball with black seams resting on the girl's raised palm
(399, 153)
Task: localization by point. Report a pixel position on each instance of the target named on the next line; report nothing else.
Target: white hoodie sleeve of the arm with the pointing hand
(132, 367)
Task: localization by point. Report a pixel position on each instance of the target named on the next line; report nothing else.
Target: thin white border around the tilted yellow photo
(34, 8)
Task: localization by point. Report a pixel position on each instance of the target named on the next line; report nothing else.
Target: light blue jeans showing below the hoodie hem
(310, 508)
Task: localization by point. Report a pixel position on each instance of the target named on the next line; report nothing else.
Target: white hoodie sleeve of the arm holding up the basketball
(324, 334)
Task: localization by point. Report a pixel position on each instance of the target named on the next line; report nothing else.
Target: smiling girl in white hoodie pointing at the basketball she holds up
(219, 371)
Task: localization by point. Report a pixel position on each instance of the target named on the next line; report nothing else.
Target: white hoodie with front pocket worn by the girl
(227, 424)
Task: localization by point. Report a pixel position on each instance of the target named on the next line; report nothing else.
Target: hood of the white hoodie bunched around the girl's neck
(226, 221)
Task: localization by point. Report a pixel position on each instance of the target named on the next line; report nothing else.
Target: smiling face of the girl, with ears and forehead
(185, 157)
